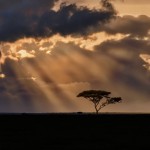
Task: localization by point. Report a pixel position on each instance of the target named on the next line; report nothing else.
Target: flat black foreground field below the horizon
(74, 131)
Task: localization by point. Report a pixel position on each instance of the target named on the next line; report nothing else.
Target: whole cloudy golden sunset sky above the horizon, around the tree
(51, 50)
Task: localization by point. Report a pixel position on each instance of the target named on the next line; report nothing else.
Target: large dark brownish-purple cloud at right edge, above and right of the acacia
(129, 72)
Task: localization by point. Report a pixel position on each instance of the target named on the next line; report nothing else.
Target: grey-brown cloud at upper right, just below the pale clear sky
(134, 26)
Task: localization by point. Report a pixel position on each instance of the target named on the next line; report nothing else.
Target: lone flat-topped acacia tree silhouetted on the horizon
(97, 96)
